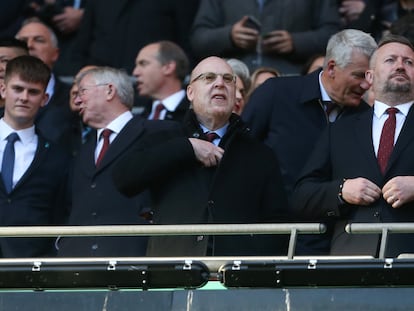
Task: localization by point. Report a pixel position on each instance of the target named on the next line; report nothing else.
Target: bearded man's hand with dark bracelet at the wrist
(360, 191)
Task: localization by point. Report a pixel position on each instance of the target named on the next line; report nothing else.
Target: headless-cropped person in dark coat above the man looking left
(113, 31)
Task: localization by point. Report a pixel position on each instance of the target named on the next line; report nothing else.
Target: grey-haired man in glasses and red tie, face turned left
(105, 98)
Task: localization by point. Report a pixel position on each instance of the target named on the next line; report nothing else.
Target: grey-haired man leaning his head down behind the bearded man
(290, 113)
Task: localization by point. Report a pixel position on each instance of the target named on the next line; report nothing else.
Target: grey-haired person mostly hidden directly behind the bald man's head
(242, 73)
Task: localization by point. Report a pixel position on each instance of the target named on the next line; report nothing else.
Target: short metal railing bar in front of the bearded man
(370, 228)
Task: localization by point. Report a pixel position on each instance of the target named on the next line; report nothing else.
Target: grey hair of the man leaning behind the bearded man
(342, 44)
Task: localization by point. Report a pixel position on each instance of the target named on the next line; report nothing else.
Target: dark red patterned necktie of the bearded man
(387, 139)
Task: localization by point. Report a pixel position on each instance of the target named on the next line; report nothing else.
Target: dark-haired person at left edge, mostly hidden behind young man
(9, 49)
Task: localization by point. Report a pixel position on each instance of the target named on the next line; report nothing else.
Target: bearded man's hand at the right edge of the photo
(399, 191)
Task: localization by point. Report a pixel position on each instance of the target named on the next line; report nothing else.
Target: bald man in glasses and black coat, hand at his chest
(233, 179)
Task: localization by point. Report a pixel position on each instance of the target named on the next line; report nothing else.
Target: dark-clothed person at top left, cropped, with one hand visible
(64, 17)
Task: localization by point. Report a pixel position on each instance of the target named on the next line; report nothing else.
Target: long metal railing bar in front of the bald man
(155, 230)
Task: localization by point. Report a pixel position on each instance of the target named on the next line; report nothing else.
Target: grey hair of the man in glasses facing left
(117, 77)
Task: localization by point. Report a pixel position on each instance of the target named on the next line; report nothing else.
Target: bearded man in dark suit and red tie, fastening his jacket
(348, 176)
